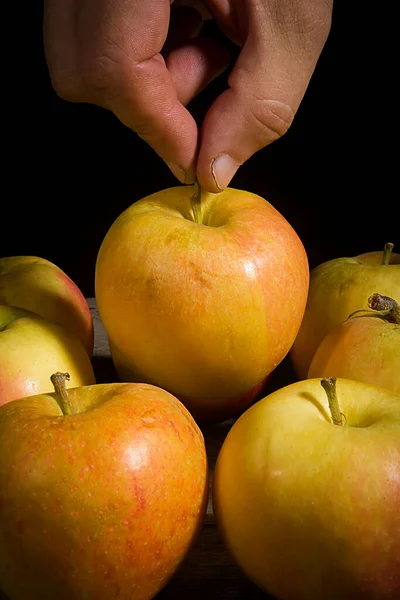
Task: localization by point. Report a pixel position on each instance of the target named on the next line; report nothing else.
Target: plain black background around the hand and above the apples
(70, 169)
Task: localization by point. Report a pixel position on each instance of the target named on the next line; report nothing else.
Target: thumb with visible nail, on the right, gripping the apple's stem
(267, 85)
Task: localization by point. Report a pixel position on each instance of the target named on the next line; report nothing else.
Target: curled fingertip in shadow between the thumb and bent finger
(194, 65)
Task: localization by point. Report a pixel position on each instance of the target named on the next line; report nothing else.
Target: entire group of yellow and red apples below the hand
(104, 487)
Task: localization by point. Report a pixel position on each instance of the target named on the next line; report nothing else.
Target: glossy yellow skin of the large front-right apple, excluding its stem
(309, 509)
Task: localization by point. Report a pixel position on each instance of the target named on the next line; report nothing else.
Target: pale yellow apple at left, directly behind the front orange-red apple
(31, 348)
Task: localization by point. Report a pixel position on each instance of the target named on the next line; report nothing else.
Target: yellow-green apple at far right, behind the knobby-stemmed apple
(338, 287)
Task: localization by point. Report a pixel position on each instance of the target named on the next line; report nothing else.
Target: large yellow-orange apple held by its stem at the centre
(201, 294)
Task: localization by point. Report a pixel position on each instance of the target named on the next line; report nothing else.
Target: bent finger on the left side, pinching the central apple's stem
(119, 67)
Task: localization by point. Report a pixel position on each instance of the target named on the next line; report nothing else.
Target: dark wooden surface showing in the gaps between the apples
(208, 572)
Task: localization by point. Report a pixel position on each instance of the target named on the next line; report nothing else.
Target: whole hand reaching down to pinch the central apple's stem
(144, 60)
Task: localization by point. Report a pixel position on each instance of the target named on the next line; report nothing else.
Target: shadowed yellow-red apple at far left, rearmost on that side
(38, 285)
